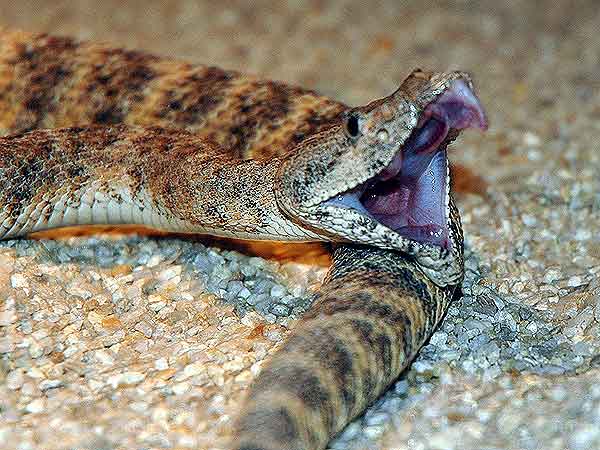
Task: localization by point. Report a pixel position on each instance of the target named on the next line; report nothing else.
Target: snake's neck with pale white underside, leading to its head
(163, 179)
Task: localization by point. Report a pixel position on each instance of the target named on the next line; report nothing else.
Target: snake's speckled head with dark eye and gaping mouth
(379, 175)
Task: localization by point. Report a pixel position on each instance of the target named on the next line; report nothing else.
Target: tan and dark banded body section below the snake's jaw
(370, 318)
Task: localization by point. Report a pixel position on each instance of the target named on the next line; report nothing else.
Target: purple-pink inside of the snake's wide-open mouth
(410, 195)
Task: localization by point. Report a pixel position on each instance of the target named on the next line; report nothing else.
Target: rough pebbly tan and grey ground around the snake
(144, 342)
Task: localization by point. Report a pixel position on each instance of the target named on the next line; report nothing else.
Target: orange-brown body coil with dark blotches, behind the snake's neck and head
(48, 82)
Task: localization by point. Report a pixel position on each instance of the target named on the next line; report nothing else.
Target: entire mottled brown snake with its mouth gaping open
(98, 135)
